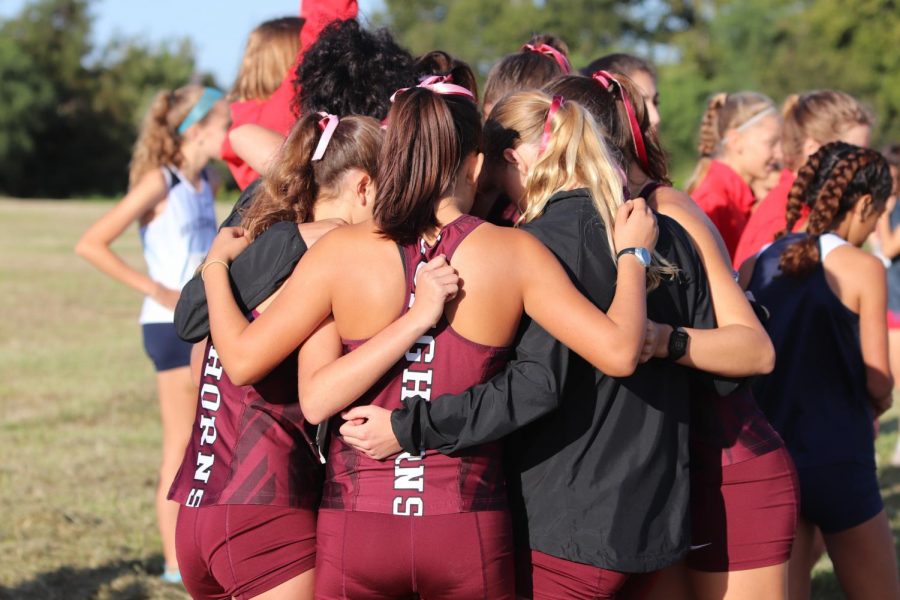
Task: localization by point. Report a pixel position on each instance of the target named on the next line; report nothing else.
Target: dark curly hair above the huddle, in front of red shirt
(352, 71)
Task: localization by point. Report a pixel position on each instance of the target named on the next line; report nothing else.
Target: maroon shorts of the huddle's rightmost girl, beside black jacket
(746, 518)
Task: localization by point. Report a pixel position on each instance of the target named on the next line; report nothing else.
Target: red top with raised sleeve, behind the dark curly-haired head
(275, 112)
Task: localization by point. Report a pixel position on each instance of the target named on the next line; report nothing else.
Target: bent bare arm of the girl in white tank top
(94, 245)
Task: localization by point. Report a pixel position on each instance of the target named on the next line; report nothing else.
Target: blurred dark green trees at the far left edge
(69, 111)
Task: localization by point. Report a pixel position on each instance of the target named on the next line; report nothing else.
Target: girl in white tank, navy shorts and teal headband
(171, 197)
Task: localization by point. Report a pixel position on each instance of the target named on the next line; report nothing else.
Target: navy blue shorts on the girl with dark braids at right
(838, 497)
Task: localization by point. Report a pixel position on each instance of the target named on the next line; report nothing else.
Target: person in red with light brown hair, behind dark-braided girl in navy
(810, 120)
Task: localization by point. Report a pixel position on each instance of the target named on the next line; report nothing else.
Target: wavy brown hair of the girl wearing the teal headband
(158, 142)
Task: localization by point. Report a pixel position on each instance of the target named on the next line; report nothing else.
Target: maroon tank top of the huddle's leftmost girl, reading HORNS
(250, 444)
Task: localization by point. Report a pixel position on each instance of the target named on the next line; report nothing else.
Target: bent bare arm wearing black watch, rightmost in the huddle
(739, 346)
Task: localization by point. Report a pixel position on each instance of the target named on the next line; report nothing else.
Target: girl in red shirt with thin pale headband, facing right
(740, 140)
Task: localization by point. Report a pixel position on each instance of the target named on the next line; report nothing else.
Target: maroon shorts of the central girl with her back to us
(458, 556)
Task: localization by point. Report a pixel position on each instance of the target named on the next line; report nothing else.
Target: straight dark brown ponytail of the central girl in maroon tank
(428, 137)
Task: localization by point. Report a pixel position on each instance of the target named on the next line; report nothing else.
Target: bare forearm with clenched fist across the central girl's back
(330, 382)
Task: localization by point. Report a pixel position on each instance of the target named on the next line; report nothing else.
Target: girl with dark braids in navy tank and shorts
(827, 299)
